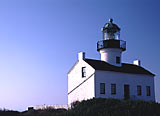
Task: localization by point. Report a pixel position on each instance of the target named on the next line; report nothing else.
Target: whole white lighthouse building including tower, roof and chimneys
(109, 77)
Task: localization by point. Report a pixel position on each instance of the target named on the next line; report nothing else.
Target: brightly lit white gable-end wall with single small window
(86, 89)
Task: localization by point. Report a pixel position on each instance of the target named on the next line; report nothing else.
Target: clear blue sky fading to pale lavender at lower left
(40, 39)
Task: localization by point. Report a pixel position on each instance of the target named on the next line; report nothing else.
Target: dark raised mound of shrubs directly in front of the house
(114, 107)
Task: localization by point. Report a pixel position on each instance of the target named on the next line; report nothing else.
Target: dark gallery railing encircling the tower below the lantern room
(112, 43)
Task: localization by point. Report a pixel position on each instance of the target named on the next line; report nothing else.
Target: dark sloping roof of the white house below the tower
(125, 68)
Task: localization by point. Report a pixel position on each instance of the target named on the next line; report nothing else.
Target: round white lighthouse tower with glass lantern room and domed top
(111, 47)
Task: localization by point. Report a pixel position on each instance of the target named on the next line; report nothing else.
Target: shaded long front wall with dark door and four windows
(120, 79)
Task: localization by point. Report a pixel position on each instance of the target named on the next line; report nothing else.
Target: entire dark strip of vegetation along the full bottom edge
(98, 107)
